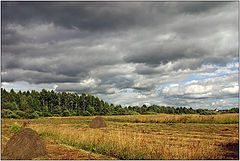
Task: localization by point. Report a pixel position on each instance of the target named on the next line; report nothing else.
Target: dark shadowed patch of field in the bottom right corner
(233, 151)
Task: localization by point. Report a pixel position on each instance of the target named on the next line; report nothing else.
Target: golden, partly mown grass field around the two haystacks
(162, 136)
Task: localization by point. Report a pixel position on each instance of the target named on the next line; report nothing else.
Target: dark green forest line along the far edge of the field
(34, 104)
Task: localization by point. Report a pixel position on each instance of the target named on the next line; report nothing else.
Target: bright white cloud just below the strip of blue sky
(210, 87)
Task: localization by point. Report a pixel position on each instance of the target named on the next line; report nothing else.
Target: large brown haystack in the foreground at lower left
(25, 144)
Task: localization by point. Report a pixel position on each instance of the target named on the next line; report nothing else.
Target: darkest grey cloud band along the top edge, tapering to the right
(99, 16)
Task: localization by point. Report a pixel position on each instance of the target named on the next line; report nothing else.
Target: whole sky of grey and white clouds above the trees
(128, 53)
